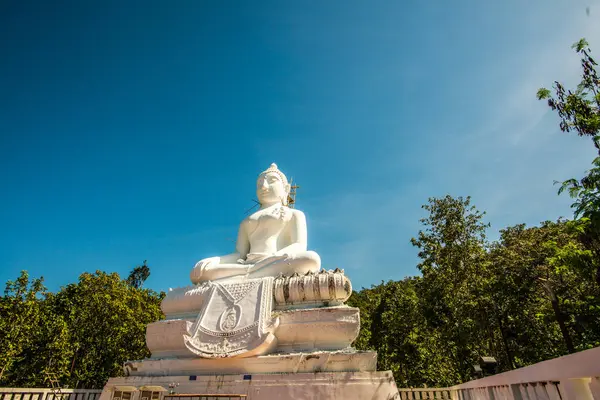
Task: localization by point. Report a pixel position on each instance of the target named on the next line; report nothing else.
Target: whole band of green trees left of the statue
(83, 334)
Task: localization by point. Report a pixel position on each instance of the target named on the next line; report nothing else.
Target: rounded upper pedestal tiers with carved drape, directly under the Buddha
(297, 314)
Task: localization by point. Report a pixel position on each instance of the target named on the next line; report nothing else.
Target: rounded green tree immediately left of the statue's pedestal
(107, 319)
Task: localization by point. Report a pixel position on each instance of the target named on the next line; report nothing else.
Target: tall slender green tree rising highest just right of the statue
(452, 248)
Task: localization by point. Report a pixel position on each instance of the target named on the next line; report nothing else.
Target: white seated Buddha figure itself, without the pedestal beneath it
(270, 242)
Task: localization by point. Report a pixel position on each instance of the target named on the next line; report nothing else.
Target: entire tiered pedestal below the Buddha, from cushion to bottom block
(268, 338)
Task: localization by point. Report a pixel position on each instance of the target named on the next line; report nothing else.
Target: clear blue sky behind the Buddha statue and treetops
(135, 130)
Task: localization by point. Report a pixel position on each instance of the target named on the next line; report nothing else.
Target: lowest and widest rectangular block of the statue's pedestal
(323, 386)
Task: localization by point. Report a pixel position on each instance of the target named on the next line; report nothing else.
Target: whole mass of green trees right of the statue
(525, 298)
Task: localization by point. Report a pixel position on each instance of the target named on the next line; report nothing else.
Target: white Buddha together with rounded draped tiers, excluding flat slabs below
(266, 297)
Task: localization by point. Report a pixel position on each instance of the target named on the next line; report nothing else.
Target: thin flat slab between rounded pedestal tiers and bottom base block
(322, 361)
